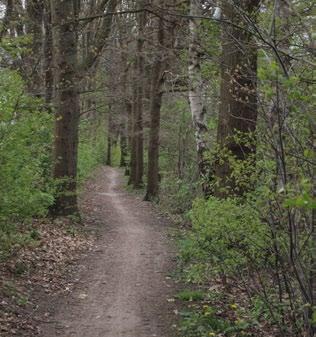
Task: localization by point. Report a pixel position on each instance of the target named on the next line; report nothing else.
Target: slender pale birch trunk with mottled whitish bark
(197, 106)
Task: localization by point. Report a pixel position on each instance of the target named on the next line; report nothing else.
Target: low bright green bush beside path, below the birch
(226, 235)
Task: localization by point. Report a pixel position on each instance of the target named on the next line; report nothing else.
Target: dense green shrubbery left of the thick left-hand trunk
(25, 159)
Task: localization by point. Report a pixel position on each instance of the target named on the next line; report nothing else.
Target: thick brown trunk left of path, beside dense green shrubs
(66, 104)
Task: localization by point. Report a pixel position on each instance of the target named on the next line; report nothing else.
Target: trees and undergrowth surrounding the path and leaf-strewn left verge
(209, 107)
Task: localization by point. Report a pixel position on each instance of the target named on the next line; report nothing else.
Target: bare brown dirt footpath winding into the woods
(122, 287)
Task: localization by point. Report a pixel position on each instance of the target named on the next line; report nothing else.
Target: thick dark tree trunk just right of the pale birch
(238, 94)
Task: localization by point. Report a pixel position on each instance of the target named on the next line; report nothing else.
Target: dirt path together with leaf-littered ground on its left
(108, 278)
